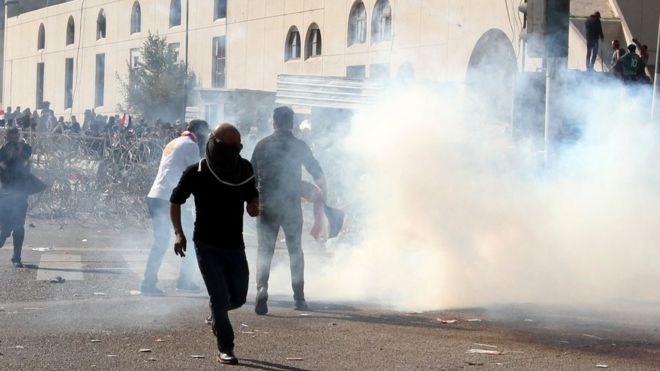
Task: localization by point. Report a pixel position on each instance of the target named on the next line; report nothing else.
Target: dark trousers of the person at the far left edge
(13, 208)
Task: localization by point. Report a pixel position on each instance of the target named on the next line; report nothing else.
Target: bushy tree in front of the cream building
(155, 87)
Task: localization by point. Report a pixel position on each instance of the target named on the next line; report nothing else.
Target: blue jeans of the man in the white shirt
(159, 210)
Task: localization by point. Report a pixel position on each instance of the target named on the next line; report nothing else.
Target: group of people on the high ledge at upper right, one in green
(627, 64)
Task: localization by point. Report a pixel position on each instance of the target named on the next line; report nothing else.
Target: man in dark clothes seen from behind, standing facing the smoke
(278, 160)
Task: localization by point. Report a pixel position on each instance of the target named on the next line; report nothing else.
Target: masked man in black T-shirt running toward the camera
(221, 183)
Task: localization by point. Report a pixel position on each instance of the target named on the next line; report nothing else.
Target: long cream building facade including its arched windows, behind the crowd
(73, 53)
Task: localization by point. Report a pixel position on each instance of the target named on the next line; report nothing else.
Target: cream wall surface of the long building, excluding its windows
(436, 37)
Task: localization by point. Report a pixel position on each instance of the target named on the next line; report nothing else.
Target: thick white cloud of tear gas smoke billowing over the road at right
(456, 214)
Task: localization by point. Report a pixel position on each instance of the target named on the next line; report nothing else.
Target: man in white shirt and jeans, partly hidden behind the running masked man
(177, 156)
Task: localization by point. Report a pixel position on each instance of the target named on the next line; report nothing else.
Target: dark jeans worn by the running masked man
(226, 275)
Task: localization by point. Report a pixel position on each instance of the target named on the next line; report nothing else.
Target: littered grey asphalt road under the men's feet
(95, 320)
